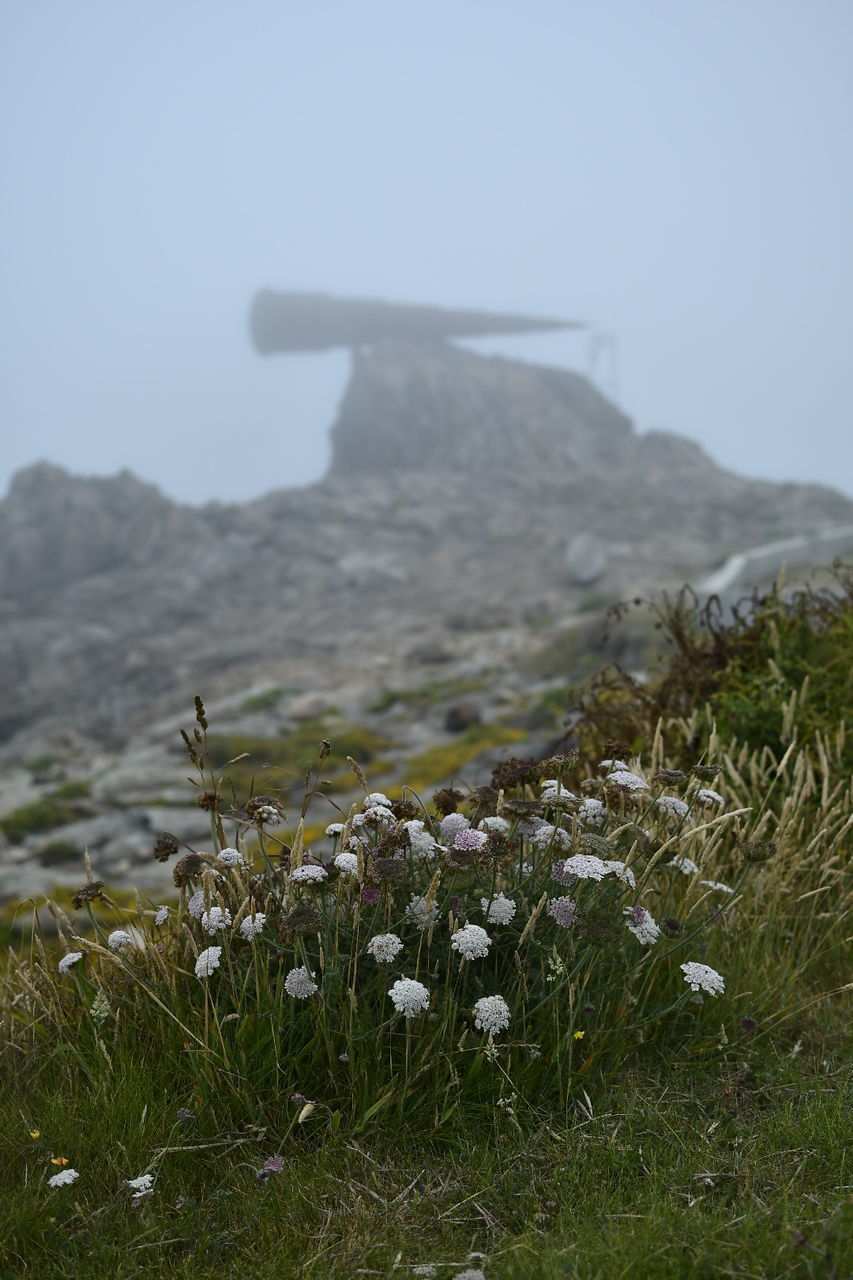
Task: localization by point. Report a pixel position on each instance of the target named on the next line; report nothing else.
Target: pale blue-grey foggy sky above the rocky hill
(672, 172)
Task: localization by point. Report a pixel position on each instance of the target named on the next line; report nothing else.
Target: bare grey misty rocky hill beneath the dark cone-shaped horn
(466, 497)
